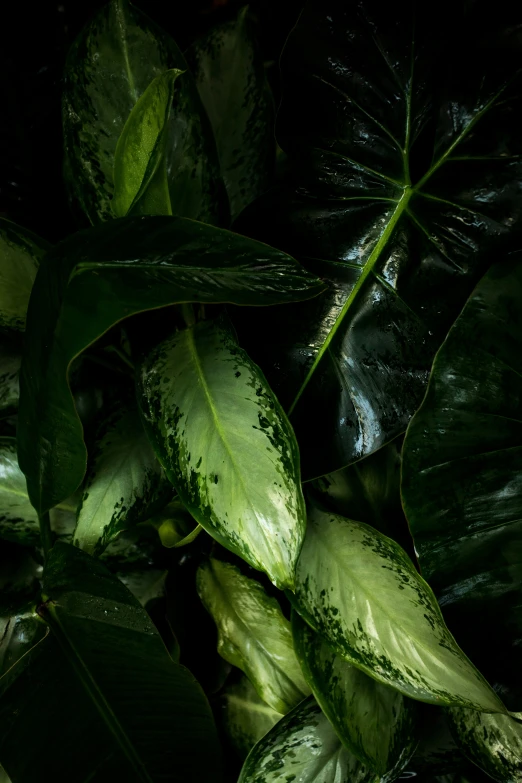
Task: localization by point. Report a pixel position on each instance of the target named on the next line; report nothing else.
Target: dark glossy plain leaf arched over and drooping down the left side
(102, 275)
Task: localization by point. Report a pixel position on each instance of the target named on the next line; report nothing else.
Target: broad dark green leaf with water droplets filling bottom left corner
(104, 675)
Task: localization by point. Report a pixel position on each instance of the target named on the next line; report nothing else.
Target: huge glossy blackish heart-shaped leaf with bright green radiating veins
(402, 133)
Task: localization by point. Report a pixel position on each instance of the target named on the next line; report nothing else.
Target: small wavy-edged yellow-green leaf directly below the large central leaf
(253, 634)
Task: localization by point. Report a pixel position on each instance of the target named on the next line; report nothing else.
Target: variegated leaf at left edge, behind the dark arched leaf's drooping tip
(18, 518)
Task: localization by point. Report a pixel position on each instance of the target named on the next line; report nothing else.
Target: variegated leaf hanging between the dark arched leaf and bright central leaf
(125, 482)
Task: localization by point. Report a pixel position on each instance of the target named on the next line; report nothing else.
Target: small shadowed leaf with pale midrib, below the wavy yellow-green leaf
(246, 718)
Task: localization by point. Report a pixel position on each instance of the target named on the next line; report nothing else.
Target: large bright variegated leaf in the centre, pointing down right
(226, 445)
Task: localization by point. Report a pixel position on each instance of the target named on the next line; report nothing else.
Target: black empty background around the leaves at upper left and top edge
(35, 38)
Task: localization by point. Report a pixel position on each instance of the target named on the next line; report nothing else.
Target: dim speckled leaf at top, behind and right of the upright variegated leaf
(230, 76)
